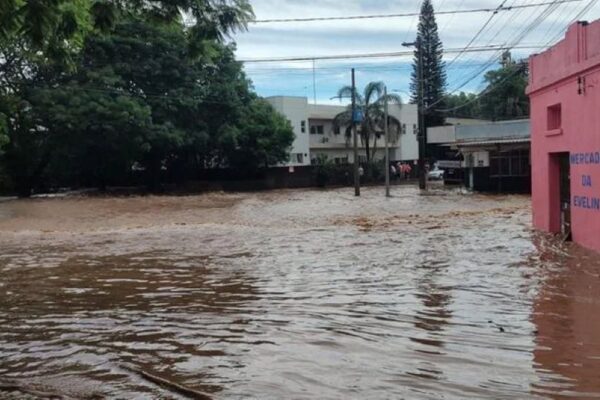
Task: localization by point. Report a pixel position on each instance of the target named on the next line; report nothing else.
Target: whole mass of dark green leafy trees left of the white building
(137, 98)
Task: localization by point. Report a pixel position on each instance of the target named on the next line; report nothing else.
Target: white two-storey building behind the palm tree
(315, 135)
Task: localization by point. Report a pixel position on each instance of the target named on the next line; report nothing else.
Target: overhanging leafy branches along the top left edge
(47, 24)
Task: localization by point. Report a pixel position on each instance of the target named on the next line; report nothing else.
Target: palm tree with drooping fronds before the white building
(371, 103)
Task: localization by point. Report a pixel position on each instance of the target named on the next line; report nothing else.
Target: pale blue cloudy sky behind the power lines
(532, 27)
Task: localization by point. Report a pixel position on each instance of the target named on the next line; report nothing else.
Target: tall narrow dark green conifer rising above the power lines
(429, 57)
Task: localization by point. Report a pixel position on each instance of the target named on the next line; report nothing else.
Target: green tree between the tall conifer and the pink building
(505, 96)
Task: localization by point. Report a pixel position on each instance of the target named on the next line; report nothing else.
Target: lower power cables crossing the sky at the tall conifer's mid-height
(382, 55)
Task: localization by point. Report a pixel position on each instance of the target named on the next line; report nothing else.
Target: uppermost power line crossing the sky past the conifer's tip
(412, 14)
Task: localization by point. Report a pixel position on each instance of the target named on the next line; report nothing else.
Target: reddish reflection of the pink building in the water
(567, 316)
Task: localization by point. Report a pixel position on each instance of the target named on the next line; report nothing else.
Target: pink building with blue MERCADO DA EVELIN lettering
(564, 87)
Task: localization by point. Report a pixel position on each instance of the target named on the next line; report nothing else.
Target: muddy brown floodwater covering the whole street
(295, 295)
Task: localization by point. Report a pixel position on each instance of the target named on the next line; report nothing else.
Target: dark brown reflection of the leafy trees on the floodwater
(172, 316)
